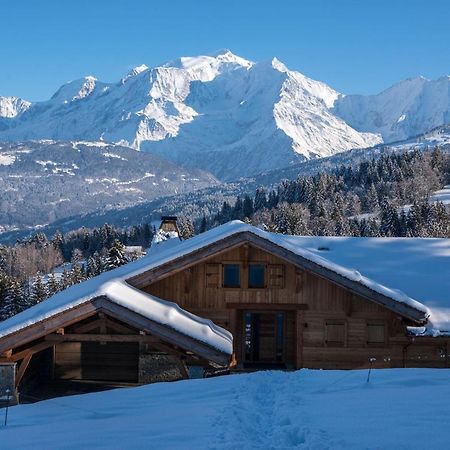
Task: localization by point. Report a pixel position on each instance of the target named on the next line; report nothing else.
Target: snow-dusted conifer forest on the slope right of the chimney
(381, 197)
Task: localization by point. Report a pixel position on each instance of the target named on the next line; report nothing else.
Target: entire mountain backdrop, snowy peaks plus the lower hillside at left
(195, 126)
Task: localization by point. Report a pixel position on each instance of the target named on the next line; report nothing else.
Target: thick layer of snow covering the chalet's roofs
(390, 266)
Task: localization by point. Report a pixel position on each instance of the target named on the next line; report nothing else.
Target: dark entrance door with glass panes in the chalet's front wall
(263, 337)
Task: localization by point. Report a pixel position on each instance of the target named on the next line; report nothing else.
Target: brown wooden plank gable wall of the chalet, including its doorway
(296, 318)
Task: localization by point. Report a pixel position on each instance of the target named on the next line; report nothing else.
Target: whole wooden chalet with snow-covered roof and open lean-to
(234, 297)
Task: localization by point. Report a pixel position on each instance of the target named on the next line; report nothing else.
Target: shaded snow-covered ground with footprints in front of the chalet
(397, 409)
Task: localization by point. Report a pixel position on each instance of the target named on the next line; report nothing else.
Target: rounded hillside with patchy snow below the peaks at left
(46, 181)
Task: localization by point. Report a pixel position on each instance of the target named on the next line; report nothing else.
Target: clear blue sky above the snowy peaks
(355, 46)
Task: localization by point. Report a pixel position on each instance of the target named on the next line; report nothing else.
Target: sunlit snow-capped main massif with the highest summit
(220, 112)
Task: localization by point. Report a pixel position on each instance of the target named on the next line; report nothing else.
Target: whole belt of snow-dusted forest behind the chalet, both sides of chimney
(385, 196)
